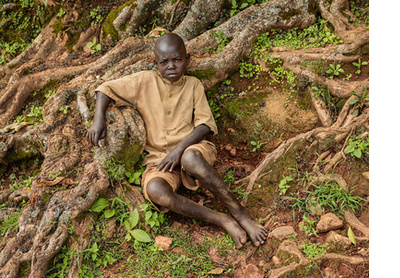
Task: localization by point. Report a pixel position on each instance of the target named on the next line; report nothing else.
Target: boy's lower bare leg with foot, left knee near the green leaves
(161, 193)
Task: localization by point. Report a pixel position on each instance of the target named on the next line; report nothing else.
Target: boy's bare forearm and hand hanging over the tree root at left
(98, 129)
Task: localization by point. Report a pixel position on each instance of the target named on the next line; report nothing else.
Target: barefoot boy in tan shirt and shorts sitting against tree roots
(177, 117)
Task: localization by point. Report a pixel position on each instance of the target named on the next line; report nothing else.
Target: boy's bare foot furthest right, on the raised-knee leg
(256, 231)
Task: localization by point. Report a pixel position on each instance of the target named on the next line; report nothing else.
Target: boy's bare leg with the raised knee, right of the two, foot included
(194, 163)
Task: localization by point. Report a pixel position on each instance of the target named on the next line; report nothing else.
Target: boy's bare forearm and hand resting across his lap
(174, 157)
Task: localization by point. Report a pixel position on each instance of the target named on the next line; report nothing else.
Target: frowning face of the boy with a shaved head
(171, 61)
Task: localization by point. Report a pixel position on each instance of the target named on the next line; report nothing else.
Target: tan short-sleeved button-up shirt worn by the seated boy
(170, 111)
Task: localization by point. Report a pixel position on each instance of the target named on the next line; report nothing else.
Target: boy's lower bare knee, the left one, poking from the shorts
(159, 191)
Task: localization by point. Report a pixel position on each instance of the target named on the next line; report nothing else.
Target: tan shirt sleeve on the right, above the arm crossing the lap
(202, 111)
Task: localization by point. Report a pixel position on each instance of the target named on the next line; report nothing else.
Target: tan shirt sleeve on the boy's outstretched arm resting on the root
(123, 91)
